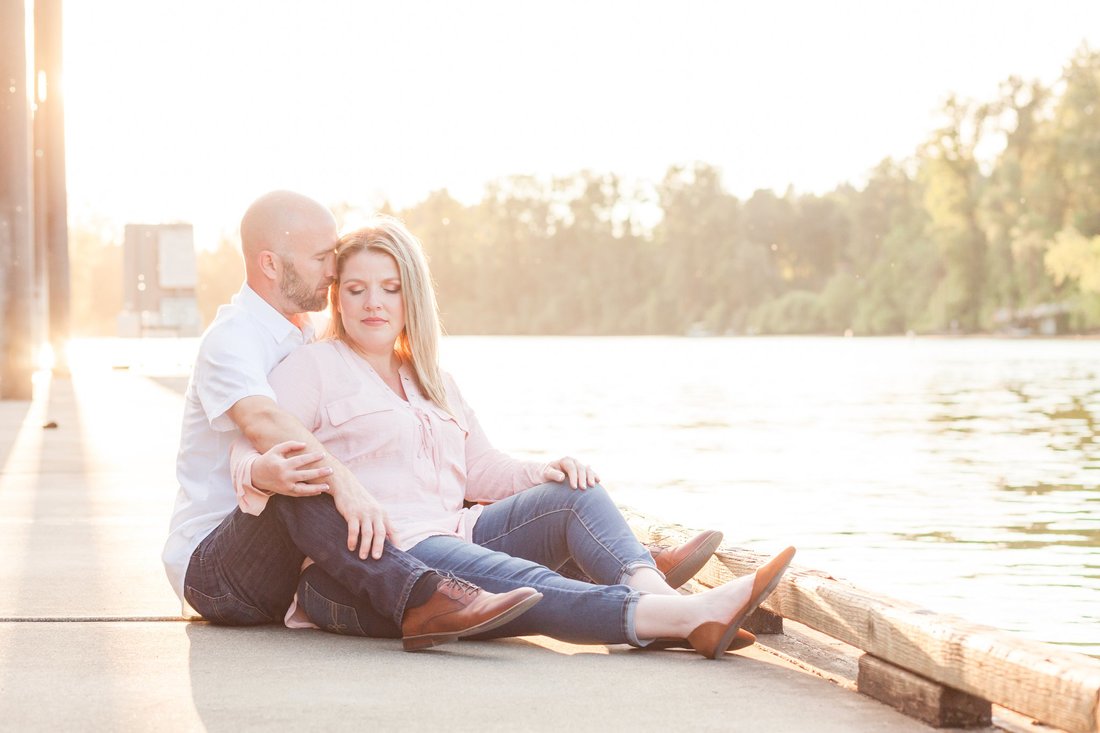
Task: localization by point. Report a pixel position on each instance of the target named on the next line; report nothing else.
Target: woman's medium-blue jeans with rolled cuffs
(518, 542)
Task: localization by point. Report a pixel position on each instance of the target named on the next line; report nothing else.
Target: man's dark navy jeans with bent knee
(247, 571)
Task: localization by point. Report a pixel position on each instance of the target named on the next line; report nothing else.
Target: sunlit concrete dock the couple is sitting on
(91, 634)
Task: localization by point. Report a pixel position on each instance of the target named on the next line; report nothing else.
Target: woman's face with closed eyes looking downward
(371, 307)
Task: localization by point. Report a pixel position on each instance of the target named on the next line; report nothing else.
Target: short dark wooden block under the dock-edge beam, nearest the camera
(918, 697)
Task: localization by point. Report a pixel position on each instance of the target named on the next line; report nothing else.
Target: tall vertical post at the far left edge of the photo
(17, 225)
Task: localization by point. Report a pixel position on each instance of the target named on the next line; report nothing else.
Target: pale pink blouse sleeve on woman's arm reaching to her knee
(491, 474)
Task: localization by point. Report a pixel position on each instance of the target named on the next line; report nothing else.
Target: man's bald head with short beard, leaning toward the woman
(289, 242)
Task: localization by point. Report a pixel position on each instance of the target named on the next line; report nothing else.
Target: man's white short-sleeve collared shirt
(247, 340)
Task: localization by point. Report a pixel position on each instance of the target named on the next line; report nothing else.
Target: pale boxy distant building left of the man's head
(159, 280)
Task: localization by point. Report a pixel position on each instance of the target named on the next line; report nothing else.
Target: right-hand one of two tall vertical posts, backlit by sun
(53, 200)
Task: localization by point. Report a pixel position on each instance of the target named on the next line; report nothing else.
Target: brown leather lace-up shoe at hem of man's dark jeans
(460, 609)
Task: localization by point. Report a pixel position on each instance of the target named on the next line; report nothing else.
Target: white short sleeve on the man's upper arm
(227, 371)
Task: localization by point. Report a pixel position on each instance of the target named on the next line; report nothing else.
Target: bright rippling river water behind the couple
(963, 475)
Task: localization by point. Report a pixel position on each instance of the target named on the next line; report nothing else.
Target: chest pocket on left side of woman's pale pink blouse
(364, 428)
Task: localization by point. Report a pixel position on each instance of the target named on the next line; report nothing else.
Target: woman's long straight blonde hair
(419, 344)
